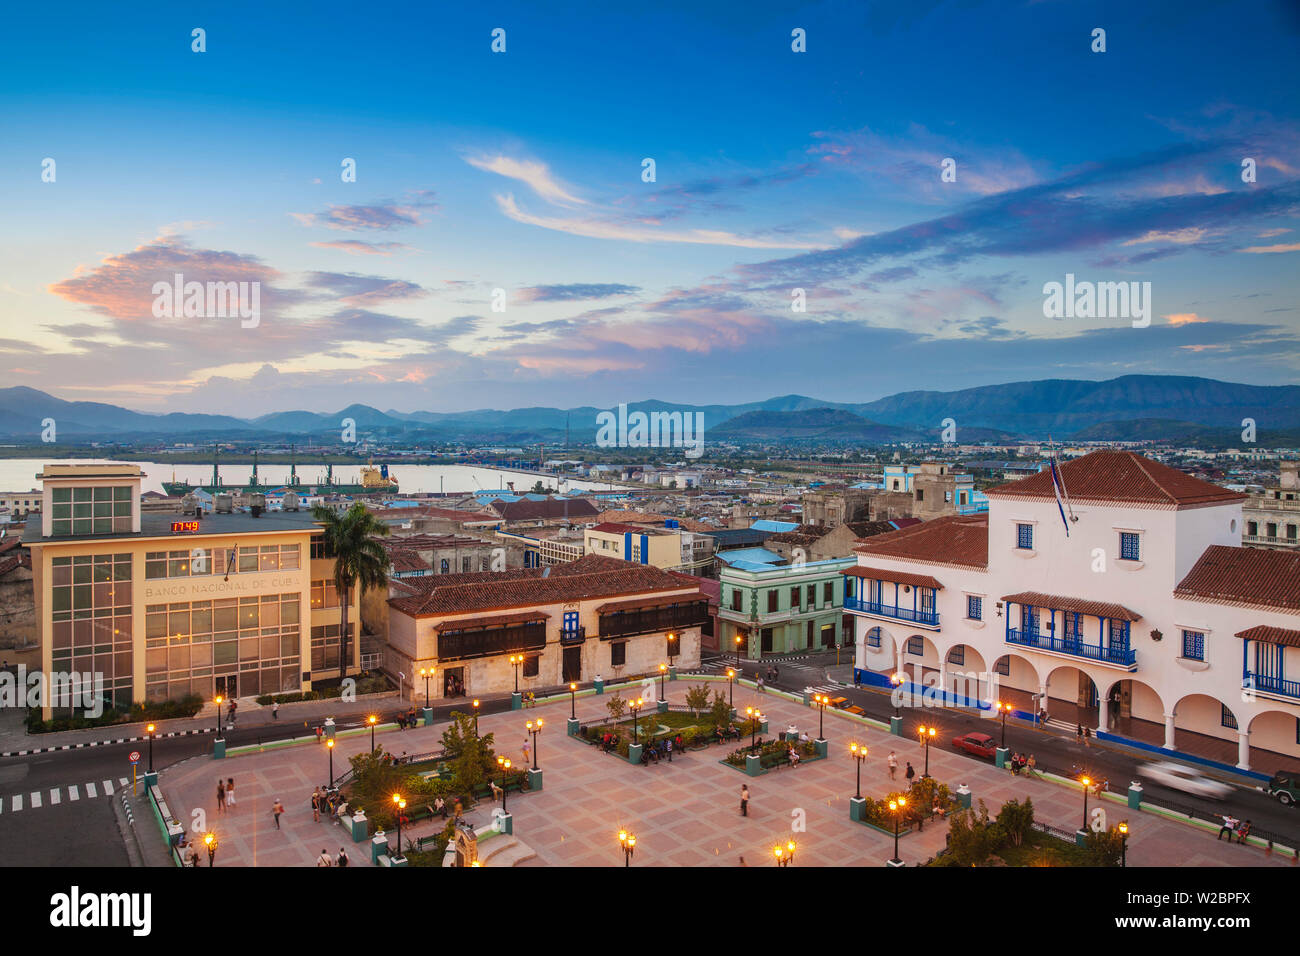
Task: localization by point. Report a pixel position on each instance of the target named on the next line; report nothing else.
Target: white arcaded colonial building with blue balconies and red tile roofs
(1147, 621)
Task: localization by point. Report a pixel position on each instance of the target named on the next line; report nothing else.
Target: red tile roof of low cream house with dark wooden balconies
(583, 579)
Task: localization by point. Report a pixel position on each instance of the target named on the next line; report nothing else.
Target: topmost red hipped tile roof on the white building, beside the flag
(1124, 477)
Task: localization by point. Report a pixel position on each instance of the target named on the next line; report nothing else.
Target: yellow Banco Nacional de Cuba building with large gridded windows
(159, 605)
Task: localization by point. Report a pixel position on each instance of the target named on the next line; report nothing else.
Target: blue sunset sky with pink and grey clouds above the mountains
(505, 244)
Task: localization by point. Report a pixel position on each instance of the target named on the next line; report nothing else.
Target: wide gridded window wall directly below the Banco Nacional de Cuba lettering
(246, 646)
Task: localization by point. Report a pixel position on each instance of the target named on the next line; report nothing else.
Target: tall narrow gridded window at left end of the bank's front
(92, 621)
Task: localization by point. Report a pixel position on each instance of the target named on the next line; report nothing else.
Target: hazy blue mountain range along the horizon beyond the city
(1130, 408)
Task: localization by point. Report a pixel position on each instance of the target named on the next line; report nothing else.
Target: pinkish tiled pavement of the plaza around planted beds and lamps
(683, 814)
